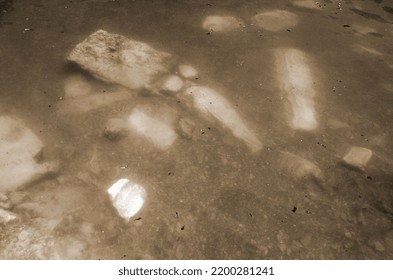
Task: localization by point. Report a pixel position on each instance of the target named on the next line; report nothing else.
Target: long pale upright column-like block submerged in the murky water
(296, 82)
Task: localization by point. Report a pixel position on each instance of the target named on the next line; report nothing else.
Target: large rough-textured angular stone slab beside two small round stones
(115, 59)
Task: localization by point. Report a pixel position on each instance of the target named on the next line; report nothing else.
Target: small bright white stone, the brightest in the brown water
(127, 197)
